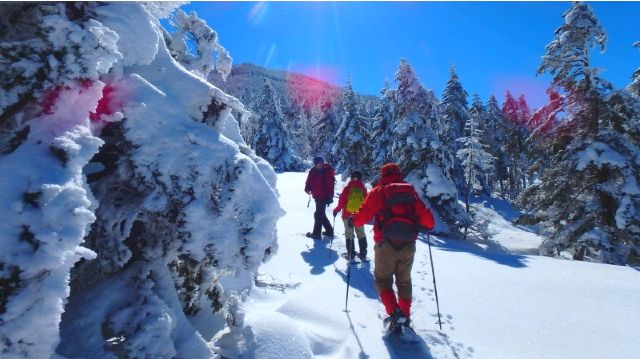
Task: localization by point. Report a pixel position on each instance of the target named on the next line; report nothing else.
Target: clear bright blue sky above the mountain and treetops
(496, 46)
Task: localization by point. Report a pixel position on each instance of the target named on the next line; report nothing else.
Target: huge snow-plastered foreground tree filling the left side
(133, 211)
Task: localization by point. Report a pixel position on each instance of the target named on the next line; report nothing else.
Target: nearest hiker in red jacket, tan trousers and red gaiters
(399, 215)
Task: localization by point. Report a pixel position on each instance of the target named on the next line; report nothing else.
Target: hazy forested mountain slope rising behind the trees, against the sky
(310, 109)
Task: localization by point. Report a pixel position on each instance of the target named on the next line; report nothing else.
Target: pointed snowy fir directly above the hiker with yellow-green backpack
(352, 148)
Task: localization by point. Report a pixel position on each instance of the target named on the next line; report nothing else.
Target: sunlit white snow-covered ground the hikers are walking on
(496, 300)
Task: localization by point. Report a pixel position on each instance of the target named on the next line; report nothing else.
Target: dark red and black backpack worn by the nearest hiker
(398, 220)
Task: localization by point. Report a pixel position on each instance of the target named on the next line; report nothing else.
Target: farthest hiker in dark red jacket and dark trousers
(320, 184)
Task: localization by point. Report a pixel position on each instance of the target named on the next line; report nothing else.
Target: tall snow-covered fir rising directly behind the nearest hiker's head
(417, 148)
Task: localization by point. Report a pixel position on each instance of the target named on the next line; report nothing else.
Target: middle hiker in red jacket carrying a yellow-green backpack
(350, 201)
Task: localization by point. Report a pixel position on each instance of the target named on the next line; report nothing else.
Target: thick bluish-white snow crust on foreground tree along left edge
(41, 239)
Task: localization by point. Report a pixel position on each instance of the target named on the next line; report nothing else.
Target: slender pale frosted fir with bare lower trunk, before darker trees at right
(476, 162)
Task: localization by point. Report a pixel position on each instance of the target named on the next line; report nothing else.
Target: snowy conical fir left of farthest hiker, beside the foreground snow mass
(270, 140)
